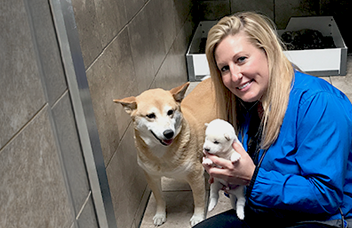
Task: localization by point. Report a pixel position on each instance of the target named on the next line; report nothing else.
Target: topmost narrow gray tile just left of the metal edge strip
(48, 50)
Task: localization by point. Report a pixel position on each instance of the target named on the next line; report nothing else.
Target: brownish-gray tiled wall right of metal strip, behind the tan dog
(128, 47)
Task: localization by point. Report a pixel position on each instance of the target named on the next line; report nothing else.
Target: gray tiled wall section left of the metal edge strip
(43, 180)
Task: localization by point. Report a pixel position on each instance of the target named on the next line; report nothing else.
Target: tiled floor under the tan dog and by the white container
(178, 195)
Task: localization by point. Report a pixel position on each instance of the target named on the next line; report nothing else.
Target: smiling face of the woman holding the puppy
(243, 66)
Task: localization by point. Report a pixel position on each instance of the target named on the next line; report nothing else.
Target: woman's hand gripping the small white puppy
(237, 173)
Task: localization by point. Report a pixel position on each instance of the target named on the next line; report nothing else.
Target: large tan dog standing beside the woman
(169, 136)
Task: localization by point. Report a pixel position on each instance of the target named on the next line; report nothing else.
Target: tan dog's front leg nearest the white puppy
(197, 183)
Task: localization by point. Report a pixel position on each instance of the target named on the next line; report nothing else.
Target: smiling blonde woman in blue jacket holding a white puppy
(296, 131)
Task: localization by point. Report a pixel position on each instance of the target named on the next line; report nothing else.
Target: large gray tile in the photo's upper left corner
(21, 90)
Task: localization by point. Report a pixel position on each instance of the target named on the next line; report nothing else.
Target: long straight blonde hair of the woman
(262, 33)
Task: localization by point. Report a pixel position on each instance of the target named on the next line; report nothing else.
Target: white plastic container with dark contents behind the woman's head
(318, 62)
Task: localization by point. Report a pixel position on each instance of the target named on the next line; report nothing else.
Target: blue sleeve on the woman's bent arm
(323, 141)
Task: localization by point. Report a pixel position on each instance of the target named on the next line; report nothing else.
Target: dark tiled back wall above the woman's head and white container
(278, 10)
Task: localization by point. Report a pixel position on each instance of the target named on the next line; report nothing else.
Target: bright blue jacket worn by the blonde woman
(309, 167)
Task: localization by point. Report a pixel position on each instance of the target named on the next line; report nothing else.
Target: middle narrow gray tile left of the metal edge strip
(71, 151)
